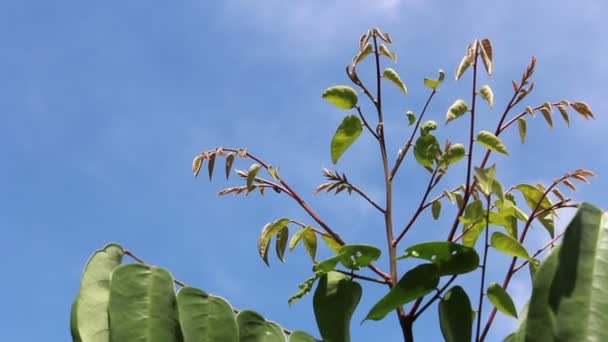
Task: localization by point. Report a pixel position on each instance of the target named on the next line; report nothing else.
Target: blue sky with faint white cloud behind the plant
(104, 105)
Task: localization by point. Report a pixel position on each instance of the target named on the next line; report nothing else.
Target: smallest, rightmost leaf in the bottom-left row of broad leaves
(254, 328)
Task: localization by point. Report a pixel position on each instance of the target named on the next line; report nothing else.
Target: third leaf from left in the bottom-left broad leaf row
(205, 318)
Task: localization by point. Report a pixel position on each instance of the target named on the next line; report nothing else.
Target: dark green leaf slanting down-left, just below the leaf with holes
(416, 283)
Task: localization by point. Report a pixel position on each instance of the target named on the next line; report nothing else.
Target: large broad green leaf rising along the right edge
(569, 299)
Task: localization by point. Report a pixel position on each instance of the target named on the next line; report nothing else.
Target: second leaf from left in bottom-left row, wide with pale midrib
(143, 305)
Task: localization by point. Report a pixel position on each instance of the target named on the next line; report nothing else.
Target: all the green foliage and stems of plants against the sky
(482, 208)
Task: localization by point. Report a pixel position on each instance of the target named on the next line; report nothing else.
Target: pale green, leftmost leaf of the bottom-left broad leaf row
(89, 318)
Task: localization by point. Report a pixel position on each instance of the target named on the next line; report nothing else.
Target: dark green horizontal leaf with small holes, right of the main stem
(449, 257)
